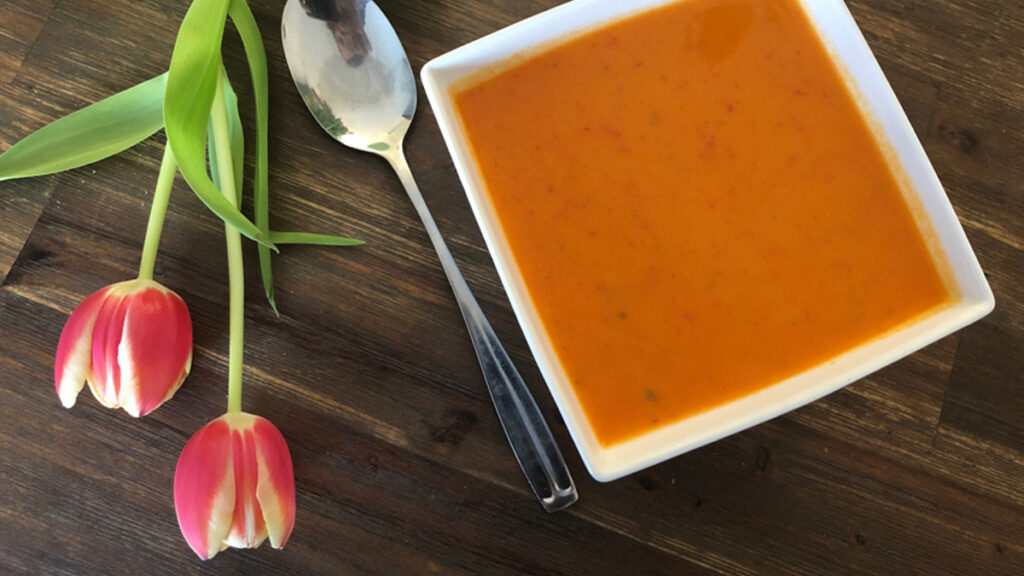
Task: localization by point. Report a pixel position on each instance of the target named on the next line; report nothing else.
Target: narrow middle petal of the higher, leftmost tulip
(104, 376)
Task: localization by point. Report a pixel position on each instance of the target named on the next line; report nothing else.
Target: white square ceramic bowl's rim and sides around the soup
(838, 30)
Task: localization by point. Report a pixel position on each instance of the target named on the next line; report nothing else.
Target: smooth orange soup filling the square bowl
(698, 208)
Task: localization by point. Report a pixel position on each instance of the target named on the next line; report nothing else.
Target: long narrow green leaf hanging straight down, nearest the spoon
(257, 56)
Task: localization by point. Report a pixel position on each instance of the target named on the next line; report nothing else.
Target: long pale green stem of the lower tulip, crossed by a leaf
(236, 271)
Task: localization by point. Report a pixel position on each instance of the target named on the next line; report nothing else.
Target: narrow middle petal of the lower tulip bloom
(248, 528)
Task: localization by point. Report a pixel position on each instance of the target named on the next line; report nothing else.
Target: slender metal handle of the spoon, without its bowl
(528, 433)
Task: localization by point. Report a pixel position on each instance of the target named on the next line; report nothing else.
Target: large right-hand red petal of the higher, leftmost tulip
(155, 354)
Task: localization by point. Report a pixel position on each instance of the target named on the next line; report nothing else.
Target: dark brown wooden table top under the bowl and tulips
(401, 465)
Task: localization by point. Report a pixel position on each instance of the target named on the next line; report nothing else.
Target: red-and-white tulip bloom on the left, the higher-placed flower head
(132, 342)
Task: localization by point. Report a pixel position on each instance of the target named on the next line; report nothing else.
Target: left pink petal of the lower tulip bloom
(204, 489)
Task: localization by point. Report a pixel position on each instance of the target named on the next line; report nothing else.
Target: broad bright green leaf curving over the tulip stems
(192, 81)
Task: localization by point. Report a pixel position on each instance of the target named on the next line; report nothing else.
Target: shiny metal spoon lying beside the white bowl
(354, 75)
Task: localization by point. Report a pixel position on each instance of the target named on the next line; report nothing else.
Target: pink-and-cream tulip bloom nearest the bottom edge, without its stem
(234, 486)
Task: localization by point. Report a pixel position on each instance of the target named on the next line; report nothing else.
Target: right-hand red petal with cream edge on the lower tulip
(276, 488)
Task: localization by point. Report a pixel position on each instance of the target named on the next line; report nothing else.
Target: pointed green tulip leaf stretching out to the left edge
(98, 132)
